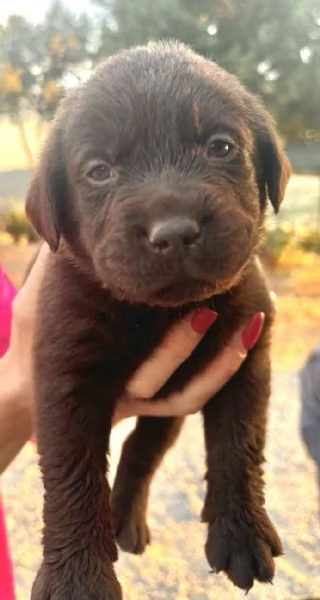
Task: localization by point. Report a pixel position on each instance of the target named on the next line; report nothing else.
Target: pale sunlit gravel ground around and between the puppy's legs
(174, 566)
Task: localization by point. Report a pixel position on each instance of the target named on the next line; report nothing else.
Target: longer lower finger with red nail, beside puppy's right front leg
(205, 385)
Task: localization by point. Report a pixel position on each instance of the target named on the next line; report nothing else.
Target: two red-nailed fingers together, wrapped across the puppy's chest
(176, 347)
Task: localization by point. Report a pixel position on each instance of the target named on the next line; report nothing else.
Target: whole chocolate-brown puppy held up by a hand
(151, 192)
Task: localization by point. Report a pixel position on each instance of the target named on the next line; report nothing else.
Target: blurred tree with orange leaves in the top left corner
(39, 62)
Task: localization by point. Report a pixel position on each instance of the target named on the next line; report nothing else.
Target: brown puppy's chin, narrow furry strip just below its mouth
(177, 294)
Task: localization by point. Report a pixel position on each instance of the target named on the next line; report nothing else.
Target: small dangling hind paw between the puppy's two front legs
(130, 528)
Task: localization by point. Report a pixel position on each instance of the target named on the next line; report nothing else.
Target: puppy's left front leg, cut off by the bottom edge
(74, 411)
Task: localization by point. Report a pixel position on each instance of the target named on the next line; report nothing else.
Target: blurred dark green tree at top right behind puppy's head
(273, 47)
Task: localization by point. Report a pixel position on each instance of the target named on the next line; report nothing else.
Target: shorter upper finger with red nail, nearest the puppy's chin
(176, 347)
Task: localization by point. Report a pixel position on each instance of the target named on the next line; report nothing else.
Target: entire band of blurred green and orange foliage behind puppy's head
(273, 46)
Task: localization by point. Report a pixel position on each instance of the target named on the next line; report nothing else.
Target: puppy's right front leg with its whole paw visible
(241, 538)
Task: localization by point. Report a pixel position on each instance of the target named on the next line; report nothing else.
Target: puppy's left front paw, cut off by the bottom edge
(75, 586)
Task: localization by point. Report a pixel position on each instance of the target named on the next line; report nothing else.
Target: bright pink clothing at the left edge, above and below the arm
(7, 294)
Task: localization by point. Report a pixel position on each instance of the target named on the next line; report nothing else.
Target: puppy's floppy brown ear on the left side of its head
(46, 197)
